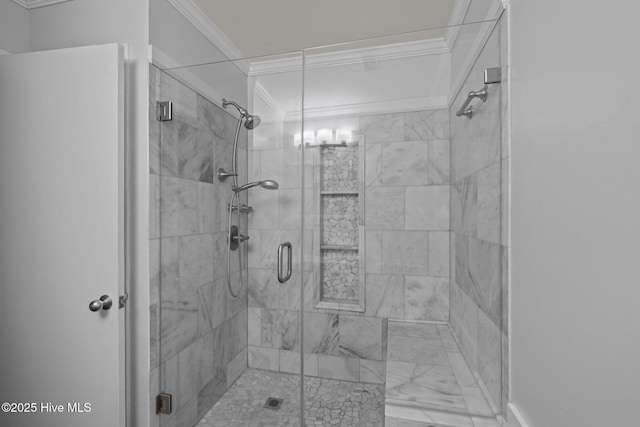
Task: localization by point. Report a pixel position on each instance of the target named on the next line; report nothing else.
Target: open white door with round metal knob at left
(61, 237)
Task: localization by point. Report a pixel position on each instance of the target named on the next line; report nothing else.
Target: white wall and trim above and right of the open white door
(85, 22)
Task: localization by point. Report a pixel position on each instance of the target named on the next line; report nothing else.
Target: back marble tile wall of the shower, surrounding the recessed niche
(407, 229)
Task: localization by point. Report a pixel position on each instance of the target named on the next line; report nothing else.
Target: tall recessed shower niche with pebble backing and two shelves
(338, 226)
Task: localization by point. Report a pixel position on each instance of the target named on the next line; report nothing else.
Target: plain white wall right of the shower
(575, 327)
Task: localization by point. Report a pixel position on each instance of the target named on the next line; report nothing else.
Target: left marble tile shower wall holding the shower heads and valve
(198, 331)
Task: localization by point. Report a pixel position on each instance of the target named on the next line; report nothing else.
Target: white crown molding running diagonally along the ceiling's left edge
(203, 24)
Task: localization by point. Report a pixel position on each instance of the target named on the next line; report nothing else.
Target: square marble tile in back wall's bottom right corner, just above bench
(426, 298)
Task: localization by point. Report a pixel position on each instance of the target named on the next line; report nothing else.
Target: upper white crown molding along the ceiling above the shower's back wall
(351, 56)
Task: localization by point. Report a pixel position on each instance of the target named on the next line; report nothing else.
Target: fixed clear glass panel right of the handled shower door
(383, 305)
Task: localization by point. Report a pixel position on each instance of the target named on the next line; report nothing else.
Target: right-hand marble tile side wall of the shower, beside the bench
(479, 196)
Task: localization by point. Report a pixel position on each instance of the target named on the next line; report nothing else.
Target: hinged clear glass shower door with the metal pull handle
(226, 327)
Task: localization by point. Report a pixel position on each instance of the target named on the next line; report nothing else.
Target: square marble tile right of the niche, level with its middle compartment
(384, 208)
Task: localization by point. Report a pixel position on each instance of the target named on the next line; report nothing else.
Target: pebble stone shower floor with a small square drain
(328, 402)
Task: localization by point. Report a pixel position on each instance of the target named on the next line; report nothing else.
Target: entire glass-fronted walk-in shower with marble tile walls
(385, 206)
